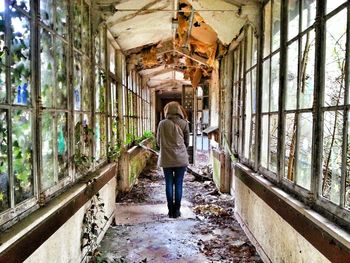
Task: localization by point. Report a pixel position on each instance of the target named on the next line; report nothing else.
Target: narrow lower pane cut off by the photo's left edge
(4, 175)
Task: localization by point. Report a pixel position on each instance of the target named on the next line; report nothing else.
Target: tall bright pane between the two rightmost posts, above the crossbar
(335, 60)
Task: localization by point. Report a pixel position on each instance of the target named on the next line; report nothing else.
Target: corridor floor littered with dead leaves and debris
(206, 232)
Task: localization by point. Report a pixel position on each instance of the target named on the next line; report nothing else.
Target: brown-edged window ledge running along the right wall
(330, 239)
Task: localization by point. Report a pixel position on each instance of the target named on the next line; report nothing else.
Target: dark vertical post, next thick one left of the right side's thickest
(282, 89)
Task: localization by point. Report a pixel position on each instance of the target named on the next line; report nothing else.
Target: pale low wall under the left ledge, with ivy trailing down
(64, 245)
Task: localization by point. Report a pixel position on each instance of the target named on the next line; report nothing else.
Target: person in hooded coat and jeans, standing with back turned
(173, 139)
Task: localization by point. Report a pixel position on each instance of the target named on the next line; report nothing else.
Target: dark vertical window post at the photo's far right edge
(346, 117)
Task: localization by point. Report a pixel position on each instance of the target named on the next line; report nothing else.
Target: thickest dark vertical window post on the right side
(317, 131)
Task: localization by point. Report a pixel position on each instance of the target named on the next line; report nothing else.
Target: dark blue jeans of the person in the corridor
(174, 177)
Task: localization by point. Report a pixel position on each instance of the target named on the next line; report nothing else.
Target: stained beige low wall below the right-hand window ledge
(272, 235)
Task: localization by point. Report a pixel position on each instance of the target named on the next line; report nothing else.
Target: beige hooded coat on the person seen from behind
(173, 137)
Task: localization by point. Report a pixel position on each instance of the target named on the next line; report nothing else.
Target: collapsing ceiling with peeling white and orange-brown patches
(176, 42)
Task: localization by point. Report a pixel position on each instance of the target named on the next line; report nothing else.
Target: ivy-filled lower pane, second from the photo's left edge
(22, 155)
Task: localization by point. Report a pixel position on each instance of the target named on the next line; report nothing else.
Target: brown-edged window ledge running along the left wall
(23, 238)
